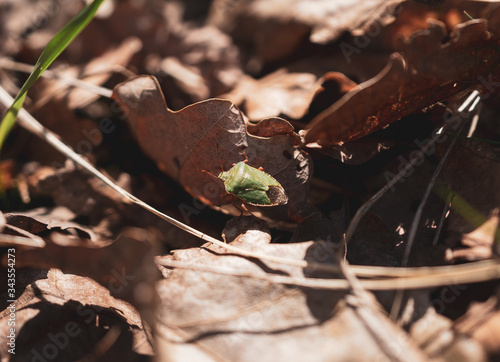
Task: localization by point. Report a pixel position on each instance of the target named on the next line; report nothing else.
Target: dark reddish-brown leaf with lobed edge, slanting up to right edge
(423, 72)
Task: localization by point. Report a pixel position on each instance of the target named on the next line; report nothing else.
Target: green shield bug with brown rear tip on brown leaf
(253, 186)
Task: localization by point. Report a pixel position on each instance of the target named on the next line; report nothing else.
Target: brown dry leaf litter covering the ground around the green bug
(287, 97)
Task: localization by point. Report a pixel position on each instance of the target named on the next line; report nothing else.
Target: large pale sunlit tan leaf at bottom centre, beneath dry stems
(220, 316)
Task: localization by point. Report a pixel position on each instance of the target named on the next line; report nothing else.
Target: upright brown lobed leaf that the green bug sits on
(206, 134)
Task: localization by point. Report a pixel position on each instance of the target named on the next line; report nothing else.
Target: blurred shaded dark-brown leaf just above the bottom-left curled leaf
(124, 266)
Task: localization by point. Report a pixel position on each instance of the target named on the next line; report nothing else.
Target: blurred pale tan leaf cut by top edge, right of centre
(283, 24)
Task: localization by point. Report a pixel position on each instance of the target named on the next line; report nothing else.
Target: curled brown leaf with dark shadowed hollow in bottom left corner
(72, 316)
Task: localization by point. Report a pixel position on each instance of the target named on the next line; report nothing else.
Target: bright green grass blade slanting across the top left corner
(55, 47)
